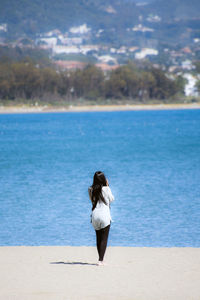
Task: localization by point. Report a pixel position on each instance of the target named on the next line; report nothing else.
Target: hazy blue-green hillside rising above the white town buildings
(180, 20)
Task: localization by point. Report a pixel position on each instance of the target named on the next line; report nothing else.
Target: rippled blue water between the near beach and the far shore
(152, 160)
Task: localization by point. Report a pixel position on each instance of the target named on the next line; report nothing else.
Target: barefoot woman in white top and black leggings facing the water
(101, 196)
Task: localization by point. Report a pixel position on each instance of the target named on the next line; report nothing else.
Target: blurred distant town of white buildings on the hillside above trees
(73, 49)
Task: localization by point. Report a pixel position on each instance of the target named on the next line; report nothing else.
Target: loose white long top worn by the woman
(101, 214)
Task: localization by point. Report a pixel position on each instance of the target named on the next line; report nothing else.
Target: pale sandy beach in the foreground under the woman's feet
(68, 273)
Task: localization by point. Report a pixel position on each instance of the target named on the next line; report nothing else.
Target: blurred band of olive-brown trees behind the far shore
(26, 80)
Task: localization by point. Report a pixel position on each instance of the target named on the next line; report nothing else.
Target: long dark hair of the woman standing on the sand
(99, 180)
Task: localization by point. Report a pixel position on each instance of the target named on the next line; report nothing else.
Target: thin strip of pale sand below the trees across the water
(92, 108)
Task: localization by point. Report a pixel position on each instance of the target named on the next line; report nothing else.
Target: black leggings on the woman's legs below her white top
(102, 238)
